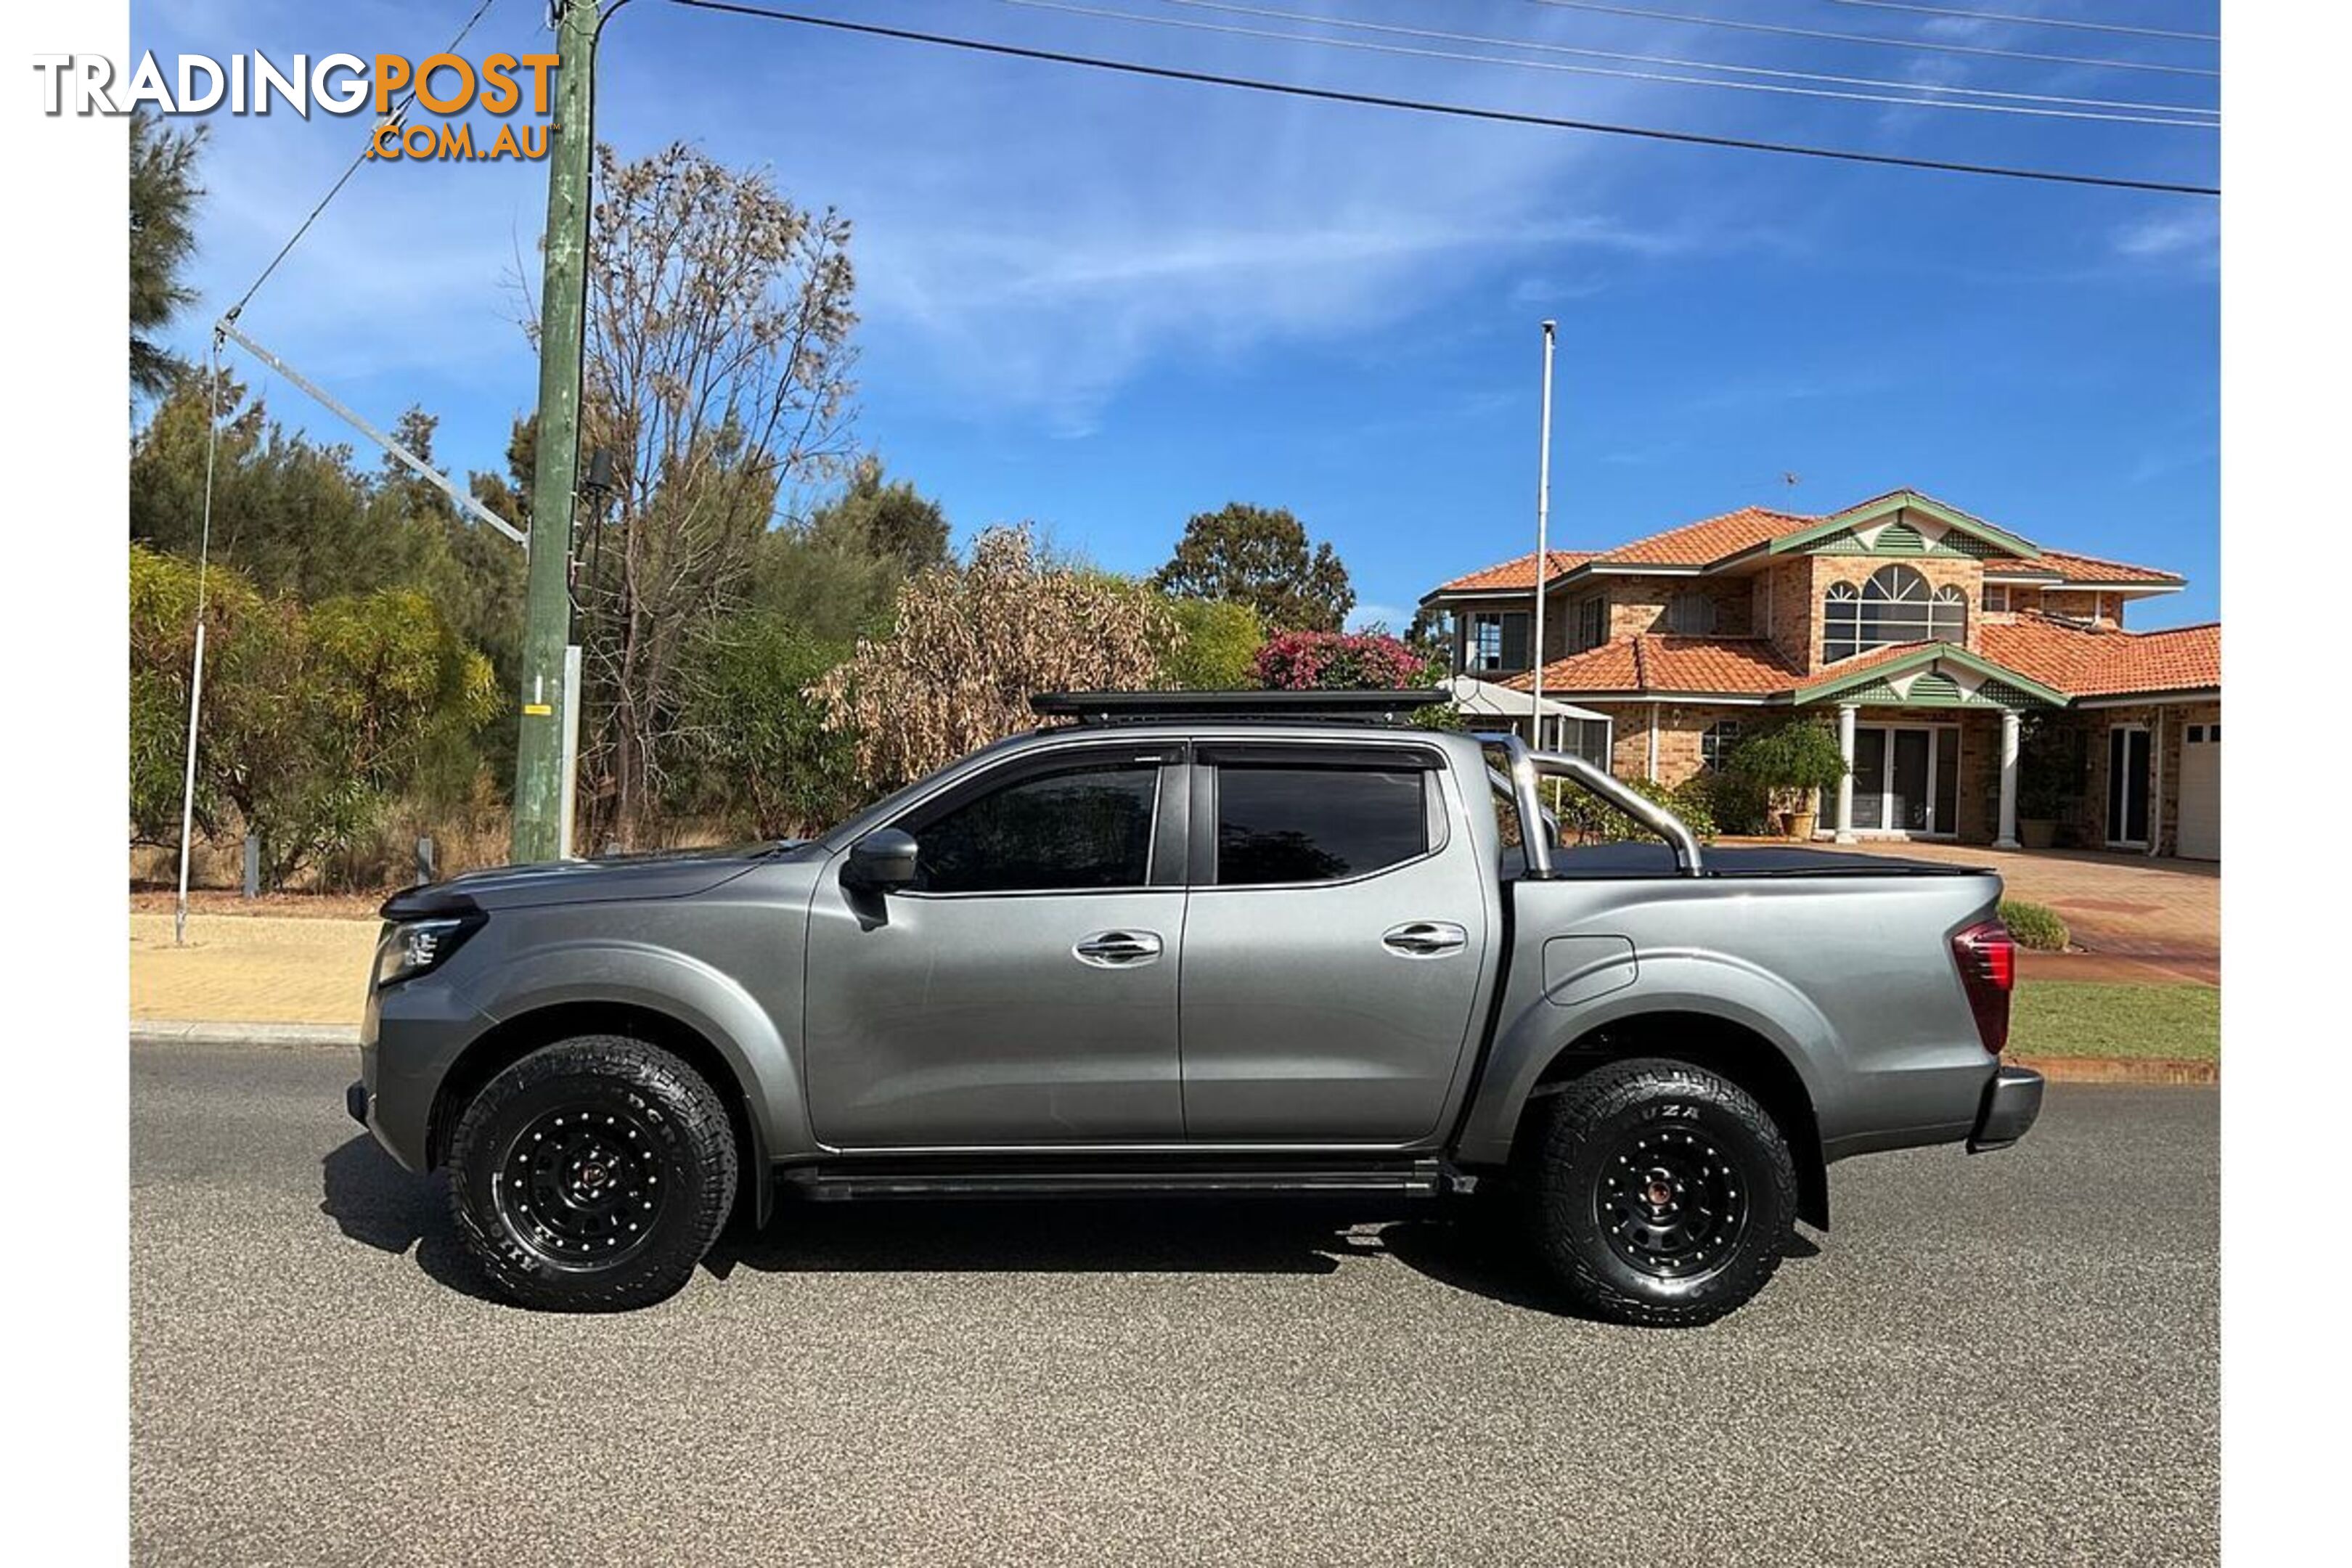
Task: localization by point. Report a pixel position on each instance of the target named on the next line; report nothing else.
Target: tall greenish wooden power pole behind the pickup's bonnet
(563, 319)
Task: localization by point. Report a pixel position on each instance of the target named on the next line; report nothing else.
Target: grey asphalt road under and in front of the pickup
(2000, 1360)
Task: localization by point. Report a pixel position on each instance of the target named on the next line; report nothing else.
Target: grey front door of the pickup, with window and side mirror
(1022, 991)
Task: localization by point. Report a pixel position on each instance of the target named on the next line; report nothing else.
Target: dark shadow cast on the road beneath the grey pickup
(1464, 1247)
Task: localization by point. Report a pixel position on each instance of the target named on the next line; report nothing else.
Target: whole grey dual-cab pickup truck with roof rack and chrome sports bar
(1194, 944)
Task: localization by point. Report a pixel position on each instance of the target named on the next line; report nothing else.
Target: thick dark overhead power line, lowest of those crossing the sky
(1457, 112)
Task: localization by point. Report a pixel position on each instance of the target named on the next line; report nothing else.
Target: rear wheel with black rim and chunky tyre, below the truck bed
(1659, 1193)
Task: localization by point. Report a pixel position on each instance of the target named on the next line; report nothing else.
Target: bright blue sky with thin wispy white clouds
(1104, 304)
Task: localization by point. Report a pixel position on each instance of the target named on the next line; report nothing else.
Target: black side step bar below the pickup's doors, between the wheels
(857, 1181)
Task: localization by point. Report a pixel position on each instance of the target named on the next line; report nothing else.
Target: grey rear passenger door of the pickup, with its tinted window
(1332, 949)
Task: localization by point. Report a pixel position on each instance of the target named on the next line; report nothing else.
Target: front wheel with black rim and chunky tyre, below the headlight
(594, 1174)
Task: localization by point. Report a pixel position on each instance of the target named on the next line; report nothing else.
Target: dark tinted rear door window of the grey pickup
(1316, 824)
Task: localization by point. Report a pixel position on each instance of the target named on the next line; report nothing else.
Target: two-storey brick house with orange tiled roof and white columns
(1927, 636)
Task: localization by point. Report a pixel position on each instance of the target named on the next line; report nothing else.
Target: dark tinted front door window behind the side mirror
(1081, 829)
